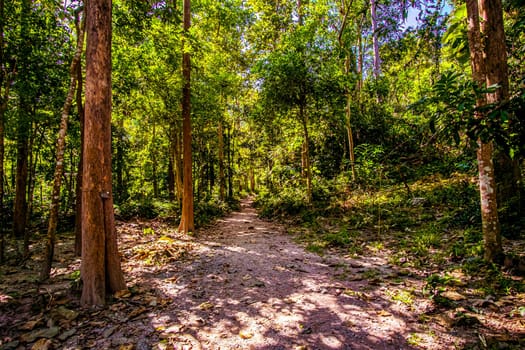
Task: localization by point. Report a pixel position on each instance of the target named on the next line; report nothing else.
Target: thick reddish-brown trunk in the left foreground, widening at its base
(100, 270)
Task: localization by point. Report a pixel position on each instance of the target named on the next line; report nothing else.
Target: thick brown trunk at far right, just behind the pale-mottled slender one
(507, 170)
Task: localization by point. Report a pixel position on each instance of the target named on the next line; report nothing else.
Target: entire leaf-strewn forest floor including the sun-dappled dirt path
(243, 283)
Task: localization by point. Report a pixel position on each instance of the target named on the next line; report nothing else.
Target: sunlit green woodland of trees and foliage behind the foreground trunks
(363, 112)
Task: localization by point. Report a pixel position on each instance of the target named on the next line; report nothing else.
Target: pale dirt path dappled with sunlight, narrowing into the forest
(250, 287)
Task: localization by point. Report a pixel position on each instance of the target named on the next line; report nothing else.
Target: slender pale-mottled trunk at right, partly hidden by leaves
(487, 183)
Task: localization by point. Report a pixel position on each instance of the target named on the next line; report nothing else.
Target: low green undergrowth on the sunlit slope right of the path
(431, 222)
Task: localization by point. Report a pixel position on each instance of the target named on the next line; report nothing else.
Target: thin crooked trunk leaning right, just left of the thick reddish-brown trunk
(59, 167)
